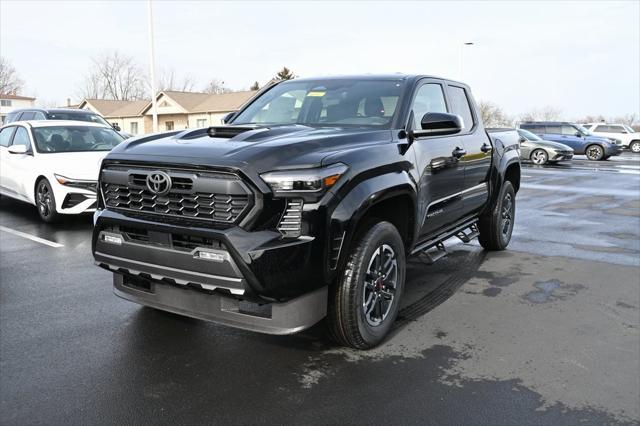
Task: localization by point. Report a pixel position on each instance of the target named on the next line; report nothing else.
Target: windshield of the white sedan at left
(75, 139)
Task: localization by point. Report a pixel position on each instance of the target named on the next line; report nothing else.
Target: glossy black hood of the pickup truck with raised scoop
(262, 149)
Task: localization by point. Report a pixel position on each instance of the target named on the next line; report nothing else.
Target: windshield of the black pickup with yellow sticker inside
(342, 103)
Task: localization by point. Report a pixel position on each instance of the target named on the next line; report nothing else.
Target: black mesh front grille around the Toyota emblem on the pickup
(193, 195)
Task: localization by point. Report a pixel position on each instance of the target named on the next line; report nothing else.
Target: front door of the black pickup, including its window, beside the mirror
(441, 177)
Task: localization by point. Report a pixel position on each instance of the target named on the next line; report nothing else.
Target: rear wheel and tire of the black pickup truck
(496, 226)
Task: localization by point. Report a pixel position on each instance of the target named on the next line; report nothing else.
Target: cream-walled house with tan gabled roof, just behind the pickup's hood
(186, 110)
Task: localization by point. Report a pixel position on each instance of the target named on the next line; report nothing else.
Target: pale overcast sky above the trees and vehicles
(580, 57)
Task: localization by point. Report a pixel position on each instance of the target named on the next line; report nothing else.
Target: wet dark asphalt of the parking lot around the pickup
(546, 332)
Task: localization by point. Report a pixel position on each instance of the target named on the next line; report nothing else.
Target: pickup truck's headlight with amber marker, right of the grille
(304, 181)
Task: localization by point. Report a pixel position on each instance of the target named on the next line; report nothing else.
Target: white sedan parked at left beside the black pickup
(54, 165)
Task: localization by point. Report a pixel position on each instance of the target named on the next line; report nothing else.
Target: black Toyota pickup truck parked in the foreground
(305, 204)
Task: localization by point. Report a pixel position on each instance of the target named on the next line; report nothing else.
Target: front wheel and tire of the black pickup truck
(364, 304)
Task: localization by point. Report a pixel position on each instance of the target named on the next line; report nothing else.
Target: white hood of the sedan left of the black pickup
(74, 165)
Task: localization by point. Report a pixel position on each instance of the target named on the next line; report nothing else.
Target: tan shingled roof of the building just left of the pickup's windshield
(193, 102)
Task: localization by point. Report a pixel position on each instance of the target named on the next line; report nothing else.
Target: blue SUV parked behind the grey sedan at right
(575, 136)
